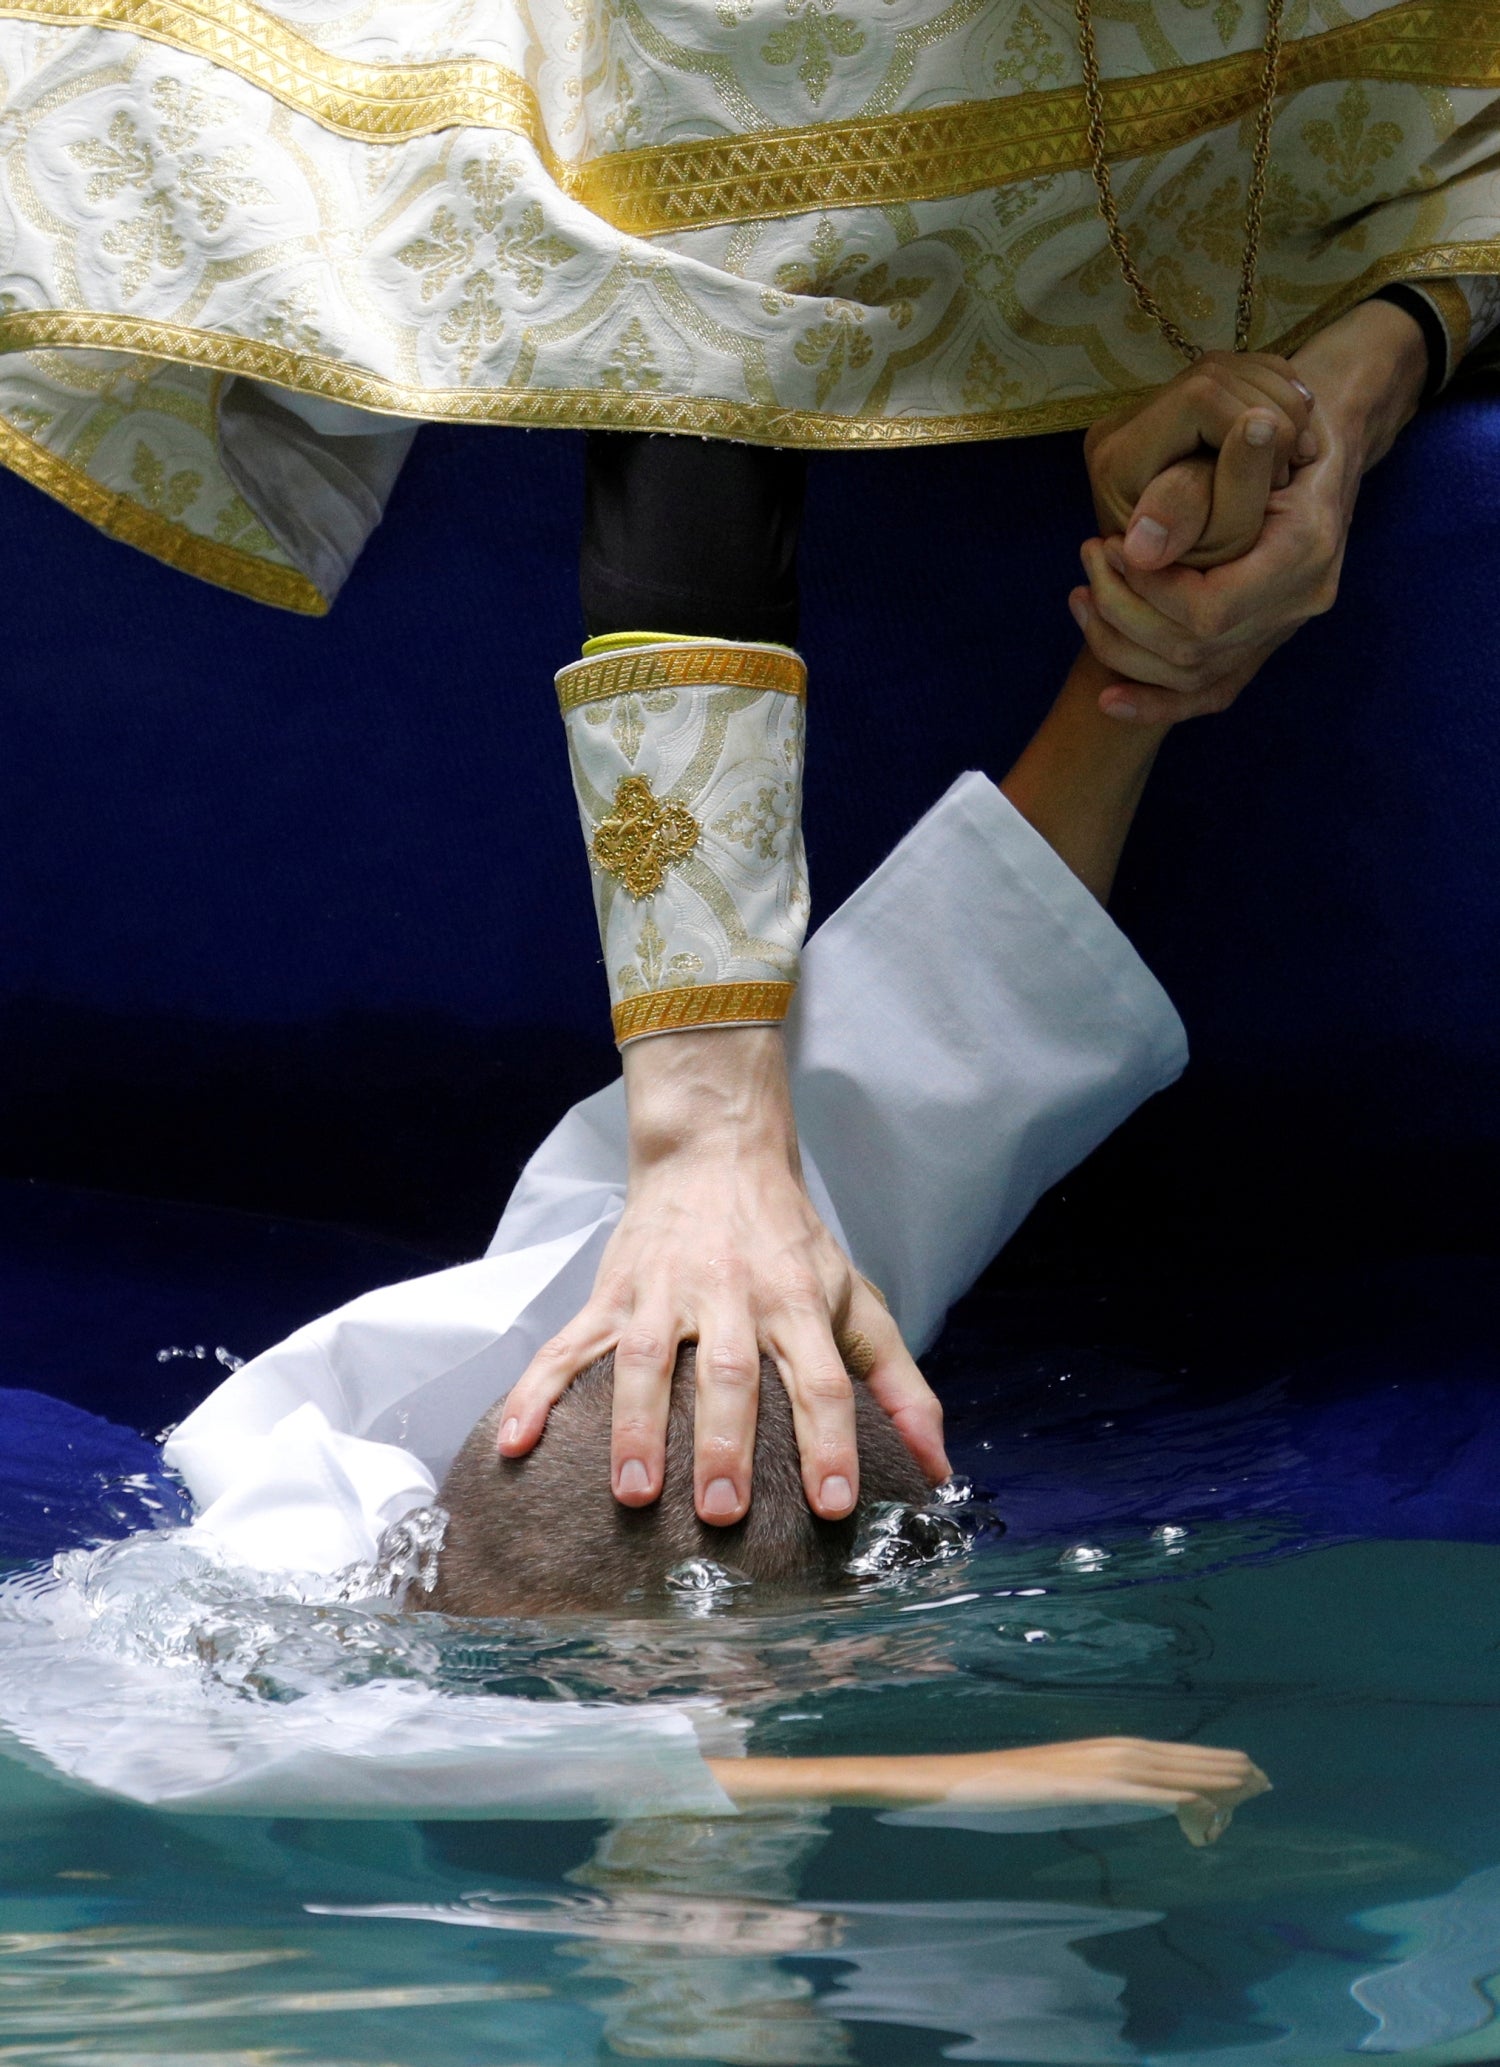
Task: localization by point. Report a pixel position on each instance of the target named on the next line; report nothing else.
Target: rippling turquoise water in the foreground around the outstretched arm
(1356, 1909)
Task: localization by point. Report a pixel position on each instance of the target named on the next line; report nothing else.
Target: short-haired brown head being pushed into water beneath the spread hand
(544, 1535)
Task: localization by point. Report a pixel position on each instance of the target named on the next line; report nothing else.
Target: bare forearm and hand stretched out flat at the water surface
(1199, 1783)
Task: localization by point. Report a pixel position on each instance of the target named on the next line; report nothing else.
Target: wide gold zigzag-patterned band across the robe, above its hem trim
(865, 162)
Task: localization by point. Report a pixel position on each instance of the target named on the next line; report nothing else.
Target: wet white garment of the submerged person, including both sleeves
(970, 1026)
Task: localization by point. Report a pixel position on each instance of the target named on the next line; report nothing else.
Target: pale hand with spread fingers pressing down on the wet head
(722, 1245)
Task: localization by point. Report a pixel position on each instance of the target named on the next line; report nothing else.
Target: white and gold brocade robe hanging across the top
(809, 222)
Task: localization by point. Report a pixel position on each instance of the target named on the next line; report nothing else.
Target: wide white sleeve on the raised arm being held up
(972, 1024)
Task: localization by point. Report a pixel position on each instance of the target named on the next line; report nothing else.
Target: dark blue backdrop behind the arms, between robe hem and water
(296, 917)
